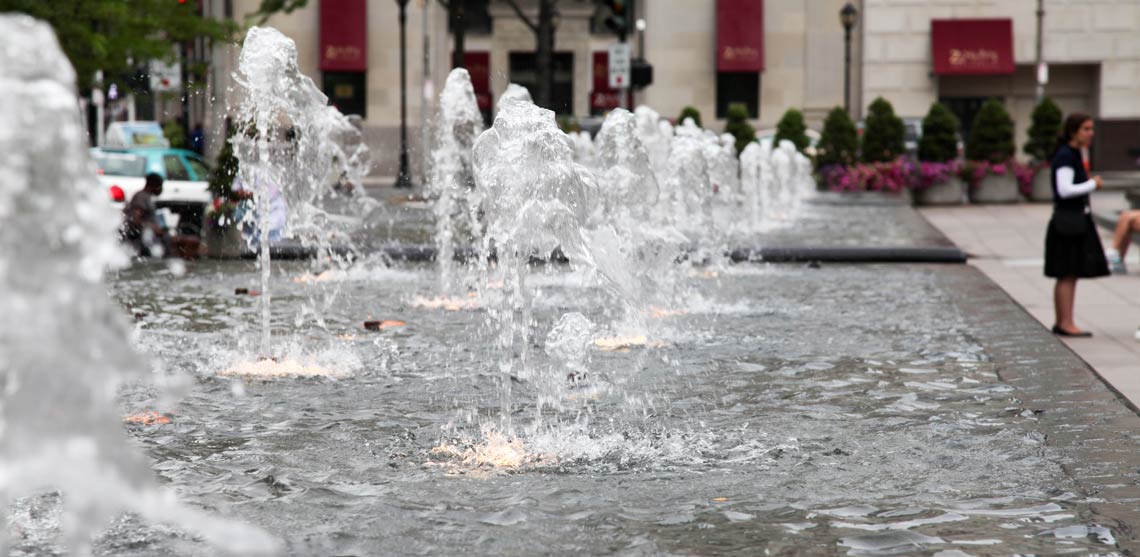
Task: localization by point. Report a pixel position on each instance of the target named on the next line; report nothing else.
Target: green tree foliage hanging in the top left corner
(118, 36)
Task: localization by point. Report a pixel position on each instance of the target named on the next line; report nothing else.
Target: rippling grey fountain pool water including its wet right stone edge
(841, 411)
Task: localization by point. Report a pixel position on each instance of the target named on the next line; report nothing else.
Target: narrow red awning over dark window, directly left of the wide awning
(740, 36)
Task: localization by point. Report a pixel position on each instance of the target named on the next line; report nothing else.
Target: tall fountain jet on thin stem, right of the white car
(291, 150)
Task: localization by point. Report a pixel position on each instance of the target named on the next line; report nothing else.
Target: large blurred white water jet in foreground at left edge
(64, 347)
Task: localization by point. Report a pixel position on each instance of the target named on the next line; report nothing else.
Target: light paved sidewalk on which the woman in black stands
(1007, 244)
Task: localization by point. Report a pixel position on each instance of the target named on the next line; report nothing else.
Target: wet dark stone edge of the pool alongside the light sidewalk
(1096, 430)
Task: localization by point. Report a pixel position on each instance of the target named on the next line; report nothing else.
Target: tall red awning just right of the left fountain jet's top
(344, 36)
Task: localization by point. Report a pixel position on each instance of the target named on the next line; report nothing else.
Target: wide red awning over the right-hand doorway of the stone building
(973, 47)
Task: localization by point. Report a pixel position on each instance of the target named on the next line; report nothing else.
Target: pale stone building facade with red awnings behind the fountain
(772, 55)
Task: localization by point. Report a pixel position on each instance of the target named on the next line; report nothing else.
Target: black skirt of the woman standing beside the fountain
(1073, 248)
